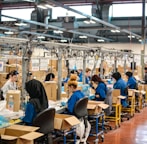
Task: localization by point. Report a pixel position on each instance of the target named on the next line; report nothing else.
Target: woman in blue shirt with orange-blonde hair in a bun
(76, 94)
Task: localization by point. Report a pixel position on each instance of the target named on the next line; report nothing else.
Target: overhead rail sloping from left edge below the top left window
(57, 28)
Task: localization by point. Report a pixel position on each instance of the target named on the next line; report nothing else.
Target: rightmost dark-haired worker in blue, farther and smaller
(131, 83)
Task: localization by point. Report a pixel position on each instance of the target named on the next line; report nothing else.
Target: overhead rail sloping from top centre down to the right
(92, 17)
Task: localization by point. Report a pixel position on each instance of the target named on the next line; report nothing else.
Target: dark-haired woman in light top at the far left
(11, 82)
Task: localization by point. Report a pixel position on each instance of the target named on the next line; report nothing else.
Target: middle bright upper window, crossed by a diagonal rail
(61, 12)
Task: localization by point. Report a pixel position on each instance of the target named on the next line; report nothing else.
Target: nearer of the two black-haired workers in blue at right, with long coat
(119, 83)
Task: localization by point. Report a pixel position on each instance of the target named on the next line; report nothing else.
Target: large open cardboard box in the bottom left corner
(19, 134)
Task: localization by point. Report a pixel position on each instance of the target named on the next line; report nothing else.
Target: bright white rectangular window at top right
(126, 10)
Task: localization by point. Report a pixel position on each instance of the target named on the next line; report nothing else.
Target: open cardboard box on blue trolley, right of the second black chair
(95, 107)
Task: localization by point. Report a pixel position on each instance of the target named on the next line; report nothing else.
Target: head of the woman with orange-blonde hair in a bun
(72, 83)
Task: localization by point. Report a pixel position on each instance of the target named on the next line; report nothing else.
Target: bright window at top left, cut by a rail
(18, 13)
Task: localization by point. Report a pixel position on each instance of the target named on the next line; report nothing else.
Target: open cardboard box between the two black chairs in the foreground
(65, 122)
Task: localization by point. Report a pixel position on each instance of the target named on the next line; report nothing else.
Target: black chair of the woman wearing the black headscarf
(45, 120)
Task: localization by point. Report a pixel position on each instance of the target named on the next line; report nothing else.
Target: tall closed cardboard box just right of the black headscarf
(51, 90)
